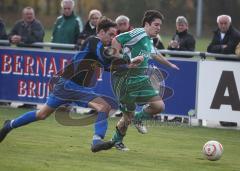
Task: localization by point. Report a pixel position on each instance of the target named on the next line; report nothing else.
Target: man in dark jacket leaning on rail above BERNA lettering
(27, 30)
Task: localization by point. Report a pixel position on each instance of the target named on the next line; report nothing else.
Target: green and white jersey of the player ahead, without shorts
(136, 42)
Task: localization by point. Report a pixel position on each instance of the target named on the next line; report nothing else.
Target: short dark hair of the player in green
(150, 16)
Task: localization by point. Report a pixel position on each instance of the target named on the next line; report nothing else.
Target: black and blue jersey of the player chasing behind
(85, 65)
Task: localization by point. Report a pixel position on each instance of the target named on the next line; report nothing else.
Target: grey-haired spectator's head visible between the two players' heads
(123, 24)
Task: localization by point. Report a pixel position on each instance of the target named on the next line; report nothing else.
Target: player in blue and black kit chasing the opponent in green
(76, 85)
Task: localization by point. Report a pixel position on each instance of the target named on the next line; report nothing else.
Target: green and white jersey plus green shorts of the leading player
(133, 85)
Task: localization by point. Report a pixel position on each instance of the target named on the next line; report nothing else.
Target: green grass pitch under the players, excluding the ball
(46, 146)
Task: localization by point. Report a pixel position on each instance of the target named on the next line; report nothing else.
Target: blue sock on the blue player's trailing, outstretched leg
(24, 119)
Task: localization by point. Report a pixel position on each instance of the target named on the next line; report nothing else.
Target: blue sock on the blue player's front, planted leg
(101, 125)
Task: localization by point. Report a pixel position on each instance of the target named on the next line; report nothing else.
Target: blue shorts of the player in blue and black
(66, 91)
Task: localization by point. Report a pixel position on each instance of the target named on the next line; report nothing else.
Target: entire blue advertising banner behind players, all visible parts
(25, 74)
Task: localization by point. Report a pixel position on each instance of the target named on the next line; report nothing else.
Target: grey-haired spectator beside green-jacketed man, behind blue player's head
(90, 27)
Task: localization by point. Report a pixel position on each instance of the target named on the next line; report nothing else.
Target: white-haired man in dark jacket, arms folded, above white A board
(225, 37)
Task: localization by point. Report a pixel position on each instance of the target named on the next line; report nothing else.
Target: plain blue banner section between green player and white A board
(183, 85)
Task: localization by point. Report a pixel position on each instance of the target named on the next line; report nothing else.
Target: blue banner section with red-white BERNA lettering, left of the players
(25, 73)
